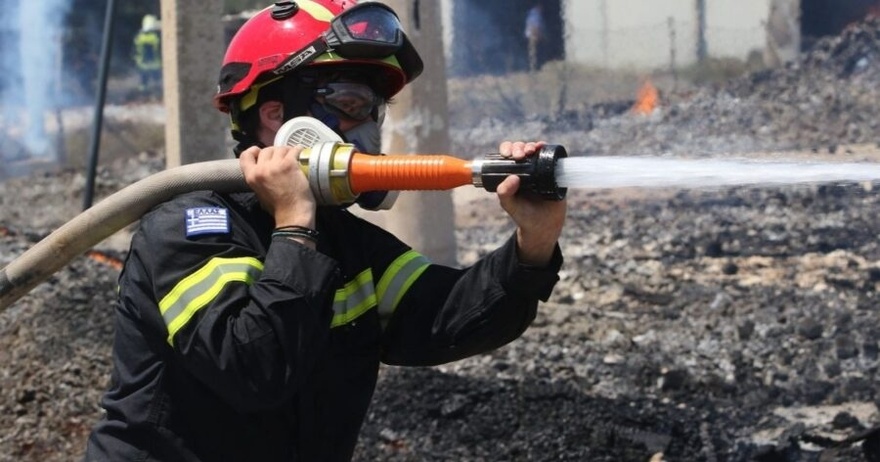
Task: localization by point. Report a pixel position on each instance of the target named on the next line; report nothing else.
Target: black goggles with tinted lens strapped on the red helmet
(368, 30)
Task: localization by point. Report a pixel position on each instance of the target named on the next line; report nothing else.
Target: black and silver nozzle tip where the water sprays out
(537, 173)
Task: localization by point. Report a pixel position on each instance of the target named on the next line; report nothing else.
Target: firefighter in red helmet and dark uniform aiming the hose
(251, 326)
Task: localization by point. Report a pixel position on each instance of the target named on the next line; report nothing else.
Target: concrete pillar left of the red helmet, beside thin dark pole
(192, 51)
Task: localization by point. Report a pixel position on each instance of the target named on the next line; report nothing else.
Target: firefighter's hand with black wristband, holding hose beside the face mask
(281, 186)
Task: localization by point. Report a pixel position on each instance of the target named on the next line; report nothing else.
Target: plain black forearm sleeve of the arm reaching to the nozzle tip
(450, 314)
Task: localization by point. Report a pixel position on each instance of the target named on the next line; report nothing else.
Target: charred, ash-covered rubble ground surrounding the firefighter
(733, 324)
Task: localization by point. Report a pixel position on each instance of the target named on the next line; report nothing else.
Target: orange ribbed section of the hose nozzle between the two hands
(407, 172)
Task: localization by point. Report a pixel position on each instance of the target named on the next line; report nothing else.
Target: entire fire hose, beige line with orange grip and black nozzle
(337, 176)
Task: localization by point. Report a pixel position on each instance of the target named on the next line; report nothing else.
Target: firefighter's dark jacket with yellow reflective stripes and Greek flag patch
(234, 346)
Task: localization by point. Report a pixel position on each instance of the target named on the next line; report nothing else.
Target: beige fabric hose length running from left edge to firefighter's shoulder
(108, 216)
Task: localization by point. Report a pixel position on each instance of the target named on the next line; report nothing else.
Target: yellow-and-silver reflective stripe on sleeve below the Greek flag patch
(201, 287)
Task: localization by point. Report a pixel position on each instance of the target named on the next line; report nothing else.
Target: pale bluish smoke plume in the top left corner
(31, 35)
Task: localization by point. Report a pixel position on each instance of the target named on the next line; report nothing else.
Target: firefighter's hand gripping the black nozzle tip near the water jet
(539, 221)
